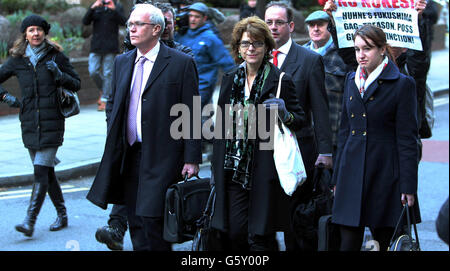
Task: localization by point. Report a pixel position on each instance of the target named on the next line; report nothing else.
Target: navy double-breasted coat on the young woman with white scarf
(377, 155)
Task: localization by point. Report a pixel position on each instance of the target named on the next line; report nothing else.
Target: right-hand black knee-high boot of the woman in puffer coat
(55, 193)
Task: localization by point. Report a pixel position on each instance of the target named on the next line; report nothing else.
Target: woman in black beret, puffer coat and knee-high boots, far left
(40, 67)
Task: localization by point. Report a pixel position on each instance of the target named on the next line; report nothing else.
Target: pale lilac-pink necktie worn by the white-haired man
(134, 100)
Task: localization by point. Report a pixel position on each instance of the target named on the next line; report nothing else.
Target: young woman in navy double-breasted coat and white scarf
(377, 157)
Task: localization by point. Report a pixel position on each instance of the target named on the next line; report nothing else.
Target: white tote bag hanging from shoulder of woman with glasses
(286, 154)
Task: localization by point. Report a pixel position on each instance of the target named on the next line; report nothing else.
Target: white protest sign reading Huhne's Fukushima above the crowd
(397, 18)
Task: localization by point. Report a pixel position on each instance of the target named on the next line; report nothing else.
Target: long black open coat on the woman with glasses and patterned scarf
(268, 204)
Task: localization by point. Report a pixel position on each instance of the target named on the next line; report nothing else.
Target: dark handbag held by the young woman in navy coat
(405, 242)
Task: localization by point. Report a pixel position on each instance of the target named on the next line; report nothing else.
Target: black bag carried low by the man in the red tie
(306, 215)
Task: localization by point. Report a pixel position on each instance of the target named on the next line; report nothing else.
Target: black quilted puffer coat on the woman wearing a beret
(42, 124)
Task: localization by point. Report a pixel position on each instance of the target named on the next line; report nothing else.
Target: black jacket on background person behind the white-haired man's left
(105, 32)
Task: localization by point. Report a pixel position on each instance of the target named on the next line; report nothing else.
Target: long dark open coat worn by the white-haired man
(173, 80)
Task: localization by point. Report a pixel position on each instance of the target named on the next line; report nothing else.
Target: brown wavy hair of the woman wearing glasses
(257, 29)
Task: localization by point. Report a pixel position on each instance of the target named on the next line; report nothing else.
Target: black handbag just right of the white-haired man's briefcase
(207, 238)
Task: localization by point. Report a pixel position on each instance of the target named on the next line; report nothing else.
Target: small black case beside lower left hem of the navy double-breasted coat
(328, 235)
